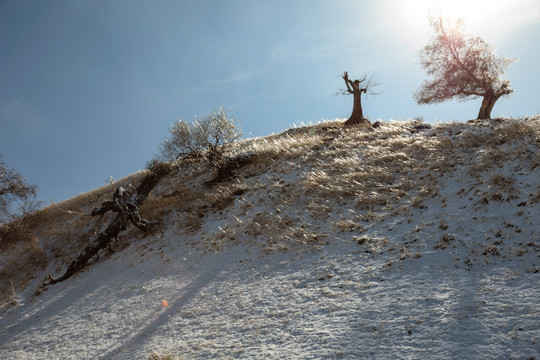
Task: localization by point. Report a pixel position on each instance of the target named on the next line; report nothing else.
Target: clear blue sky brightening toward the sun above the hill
(89, 88)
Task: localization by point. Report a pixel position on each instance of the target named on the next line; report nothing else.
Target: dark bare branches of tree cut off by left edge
(17, 198)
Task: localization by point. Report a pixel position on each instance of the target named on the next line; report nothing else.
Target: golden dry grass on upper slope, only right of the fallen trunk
(371, 170)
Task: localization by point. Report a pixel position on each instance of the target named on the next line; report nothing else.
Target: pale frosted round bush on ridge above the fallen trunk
(205, 138)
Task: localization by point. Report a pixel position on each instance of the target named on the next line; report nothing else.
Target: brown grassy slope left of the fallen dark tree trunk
(54, 234)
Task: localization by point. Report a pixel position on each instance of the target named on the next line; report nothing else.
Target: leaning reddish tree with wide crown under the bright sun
(463, 67)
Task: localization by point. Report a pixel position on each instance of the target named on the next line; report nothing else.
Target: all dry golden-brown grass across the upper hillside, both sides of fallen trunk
(300, 176)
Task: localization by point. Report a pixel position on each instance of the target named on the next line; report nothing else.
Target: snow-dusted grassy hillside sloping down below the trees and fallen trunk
(409, 241)
